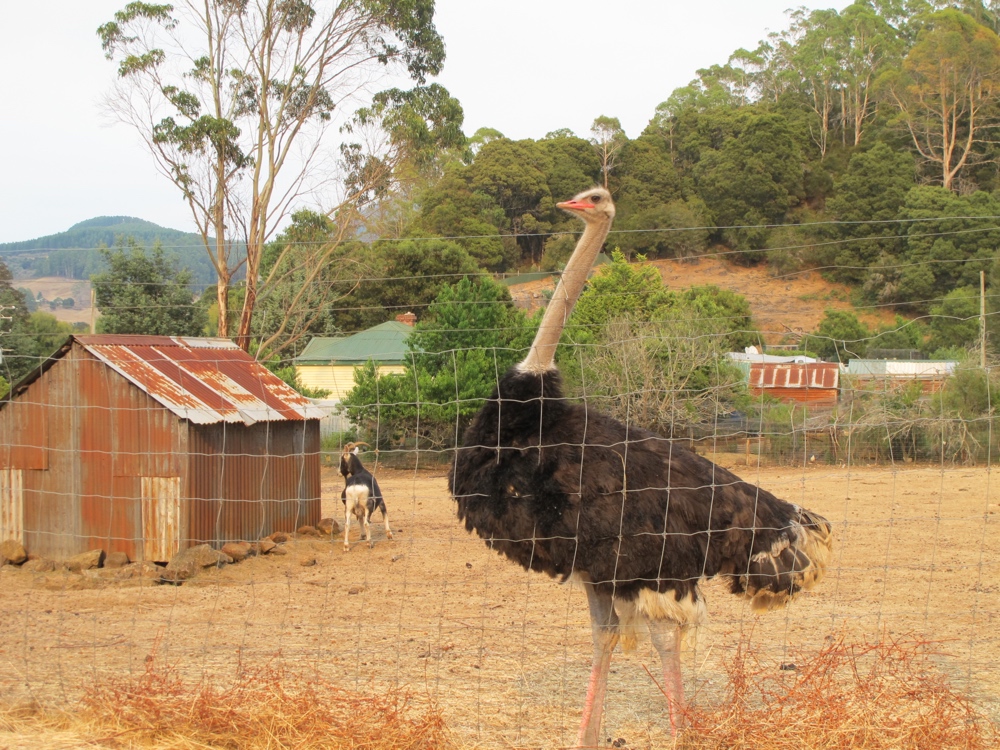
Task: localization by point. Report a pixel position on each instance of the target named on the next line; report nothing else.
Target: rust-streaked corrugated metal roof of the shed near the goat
(202, 380)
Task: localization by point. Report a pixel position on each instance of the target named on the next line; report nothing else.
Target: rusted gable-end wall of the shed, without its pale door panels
(100, 435)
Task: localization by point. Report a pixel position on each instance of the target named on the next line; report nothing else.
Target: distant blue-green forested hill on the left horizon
(73, 254)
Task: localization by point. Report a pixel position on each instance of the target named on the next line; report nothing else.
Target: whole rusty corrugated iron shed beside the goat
(146, 445)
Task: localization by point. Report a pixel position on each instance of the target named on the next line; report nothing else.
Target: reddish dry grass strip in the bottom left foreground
(261, 708)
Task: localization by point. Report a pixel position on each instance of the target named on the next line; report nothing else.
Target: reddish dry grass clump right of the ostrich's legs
(863, 696)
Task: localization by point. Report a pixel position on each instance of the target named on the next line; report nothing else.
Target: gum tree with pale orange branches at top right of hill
(946, 90)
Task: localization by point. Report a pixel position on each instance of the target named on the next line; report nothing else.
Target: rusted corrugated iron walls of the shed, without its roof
(93, 451)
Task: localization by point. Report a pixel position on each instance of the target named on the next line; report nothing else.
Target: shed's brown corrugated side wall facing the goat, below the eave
(246, 482)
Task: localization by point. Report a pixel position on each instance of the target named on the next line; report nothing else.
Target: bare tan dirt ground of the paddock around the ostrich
(505, 653)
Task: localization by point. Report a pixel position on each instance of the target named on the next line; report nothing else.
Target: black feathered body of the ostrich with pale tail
(566, 490)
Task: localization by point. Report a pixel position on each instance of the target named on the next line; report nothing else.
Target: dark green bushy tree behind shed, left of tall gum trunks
(146, 293)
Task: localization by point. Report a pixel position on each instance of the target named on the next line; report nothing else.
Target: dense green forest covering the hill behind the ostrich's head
(861, 142)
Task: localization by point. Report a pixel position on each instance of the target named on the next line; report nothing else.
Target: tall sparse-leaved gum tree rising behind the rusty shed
(233, 99)
